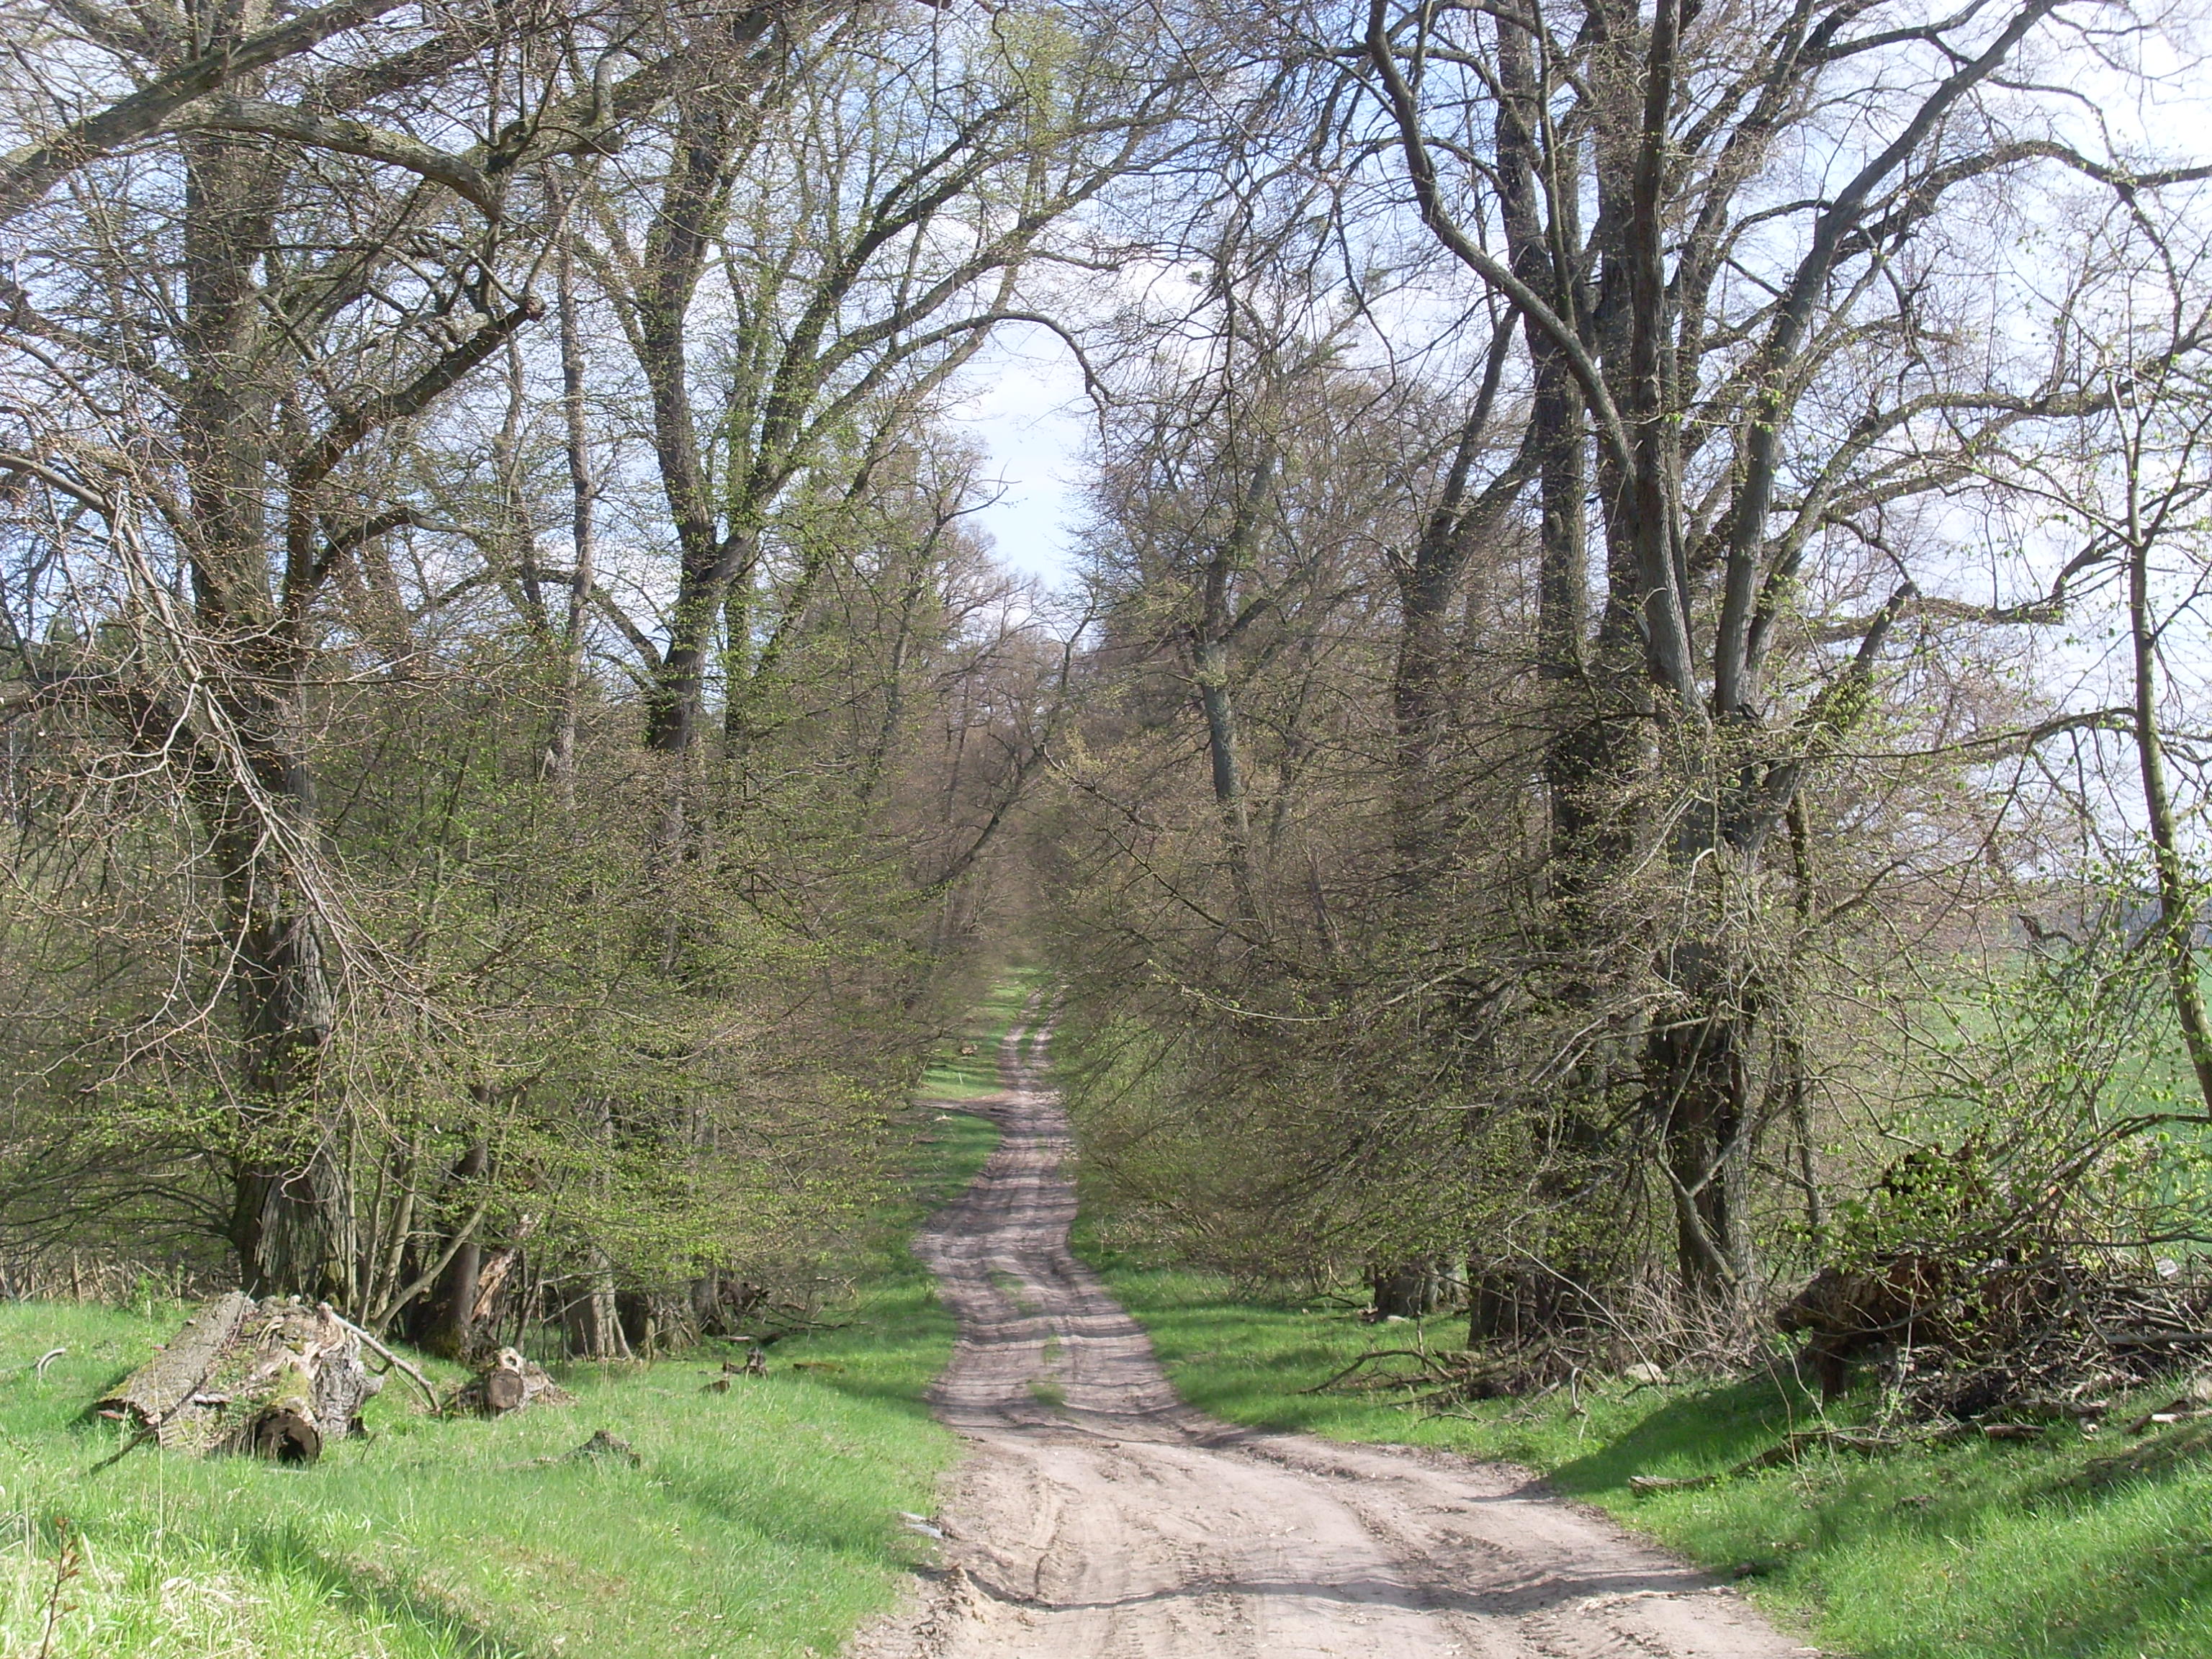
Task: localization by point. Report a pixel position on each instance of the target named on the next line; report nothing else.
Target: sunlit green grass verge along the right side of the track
(2083, 1547)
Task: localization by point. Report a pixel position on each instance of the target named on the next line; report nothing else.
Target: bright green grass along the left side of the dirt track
(762, 1521)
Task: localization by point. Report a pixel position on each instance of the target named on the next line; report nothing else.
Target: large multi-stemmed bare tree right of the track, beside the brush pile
(1713, 326)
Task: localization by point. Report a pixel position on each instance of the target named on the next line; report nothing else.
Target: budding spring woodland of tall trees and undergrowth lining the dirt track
(1620, 731)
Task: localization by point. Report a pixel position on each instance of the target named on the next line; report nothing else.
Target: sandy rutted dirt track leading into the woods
(1098, 1516)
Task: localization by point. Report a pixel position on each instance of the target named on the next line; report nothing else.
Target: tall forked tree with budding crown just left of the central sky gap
(848, 238)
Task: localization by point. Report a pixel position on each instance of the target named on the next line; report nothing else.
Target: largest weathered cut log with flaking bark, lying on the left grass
(273, 1379)
